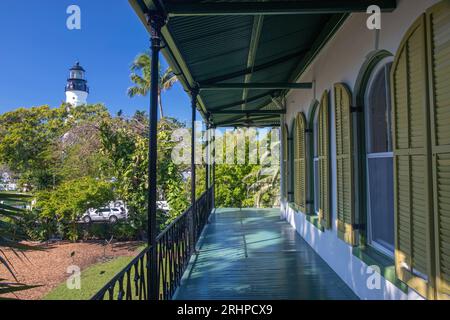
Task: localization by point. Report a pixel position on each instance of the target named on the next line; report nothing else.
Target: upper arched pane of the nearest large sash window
(378, 114)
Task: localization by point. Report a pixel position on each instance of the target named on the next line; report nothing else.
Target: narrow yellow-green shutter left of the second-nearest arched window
(300, 162)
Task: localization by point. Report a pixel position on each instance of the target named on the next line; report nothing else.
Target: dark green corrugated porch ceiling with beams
(245, 55)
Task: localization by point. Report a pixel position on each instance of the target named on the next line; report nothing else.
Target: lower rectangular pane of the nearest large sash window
(381, 193)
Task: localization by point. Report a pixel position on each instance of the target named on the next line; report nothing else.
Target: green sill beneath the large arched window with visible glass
(372, 257)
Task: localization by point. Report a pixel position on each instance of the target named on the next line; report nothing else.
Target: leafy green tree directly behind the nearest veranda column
(126, 145)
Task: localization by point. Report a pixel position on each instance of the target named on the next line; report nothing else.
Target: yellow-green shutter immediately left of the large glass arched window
(344, 164)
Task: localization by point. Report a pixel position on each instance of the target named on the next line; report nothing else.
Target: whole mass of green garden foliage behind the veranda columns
(70, 158)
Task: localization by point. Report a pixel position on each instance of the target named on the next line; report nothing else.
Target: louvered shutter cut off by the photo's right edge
(438, 27)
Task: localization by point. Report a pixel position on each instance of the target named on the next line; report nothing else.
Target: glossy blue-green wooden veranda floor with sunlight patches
(252, 254)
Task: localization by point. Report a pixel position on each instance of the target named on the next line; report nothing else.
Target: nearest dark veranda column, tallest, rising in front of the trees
(156, 22)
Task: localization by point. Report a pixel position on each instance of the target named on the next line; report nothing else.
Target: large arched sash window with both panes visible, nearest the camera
(379, 160)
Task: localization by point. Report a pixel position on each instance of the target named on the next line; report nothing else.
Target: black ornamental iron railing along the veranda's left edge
(175, 246)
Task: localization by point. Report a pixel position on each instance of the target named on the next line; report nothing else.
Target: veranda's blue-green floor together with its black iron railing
(242, 254)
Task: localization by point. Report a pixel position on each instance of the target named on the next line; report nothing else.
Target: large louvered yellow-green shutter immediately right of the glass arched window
(412, 198)
